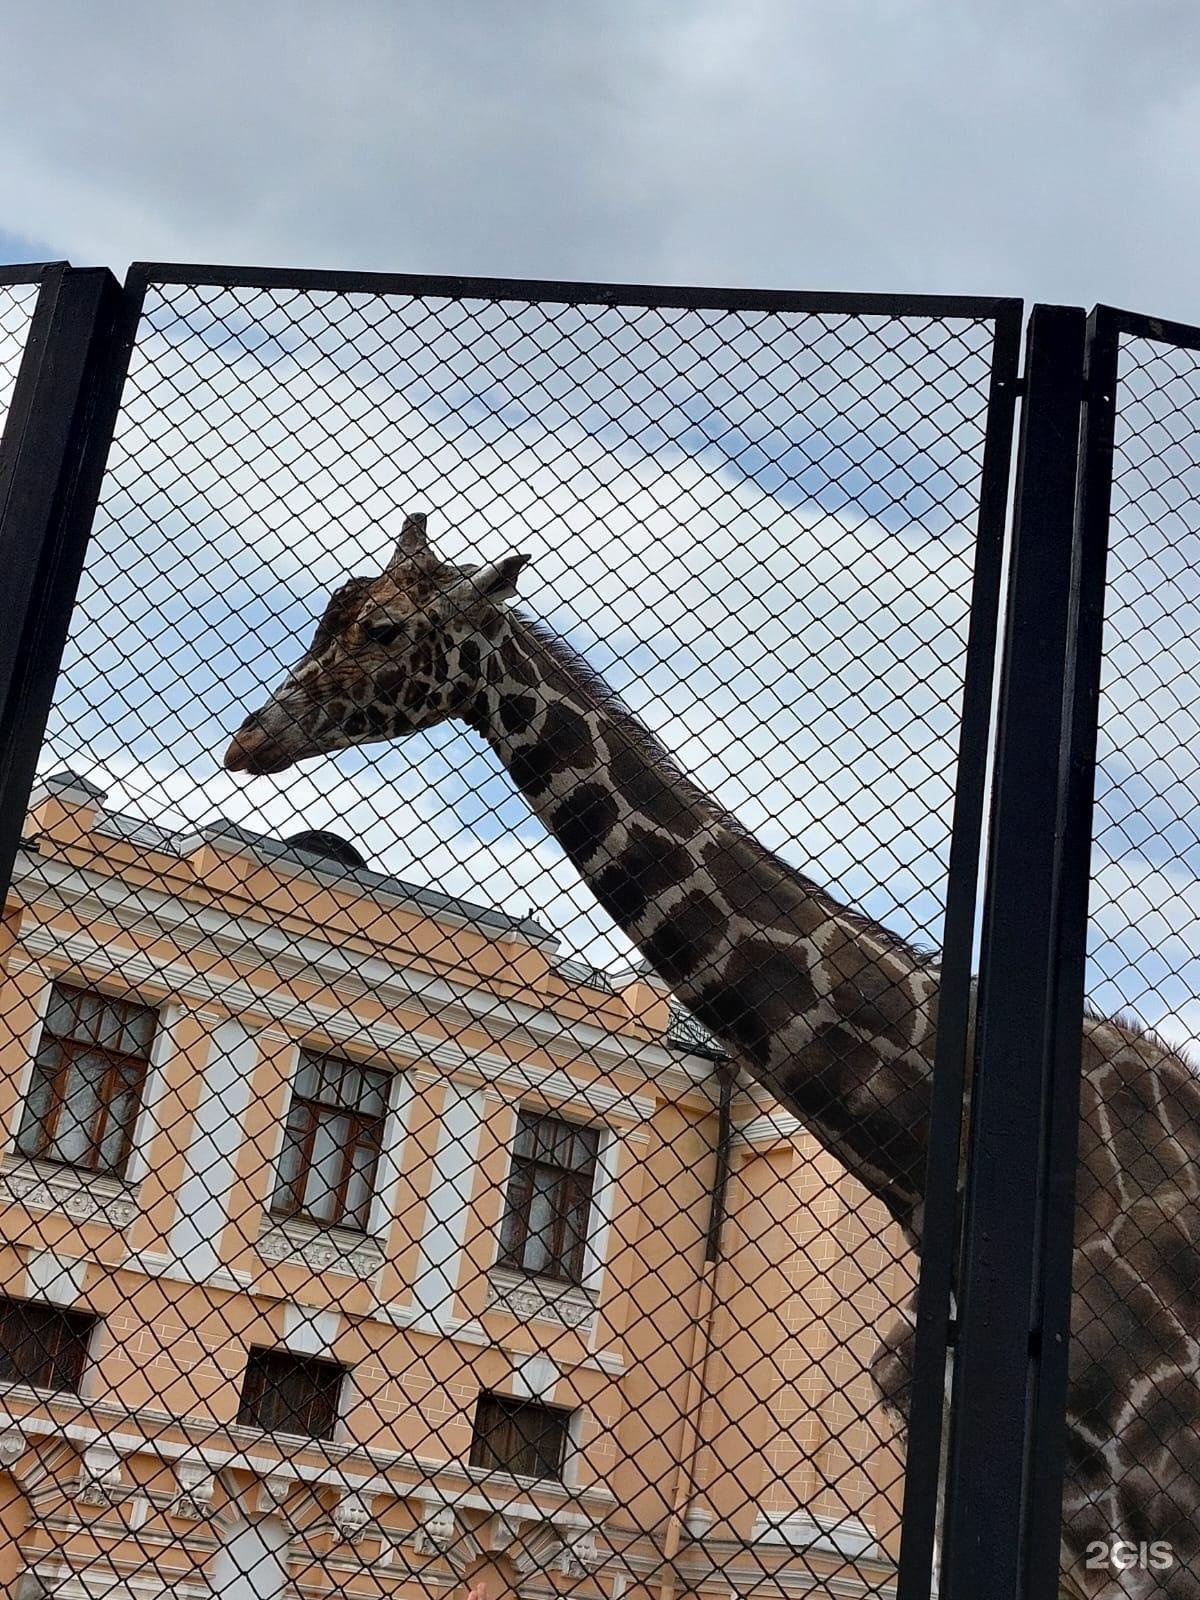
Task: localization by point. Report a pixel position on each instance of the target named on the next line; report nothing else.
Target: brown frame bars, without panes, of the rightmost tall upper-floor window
(582, 1188)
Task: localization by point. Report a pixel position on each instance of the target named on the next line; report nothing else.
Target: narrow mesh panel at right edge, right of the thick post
(1134, 1359)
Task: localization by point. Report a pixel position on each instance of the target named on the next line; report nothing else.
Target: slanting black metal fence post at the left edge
(52, 460)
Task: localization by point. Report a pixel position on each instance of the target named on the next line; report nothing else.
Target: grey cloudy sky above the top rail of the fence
(1042, 151)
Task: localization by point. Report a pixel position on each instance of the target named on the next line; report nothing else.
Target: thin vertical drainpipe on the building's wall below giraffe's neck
(702, 1335)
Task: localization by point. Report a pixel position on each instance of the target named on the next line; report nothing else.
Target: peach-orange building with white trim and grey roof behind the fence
(356, 1244)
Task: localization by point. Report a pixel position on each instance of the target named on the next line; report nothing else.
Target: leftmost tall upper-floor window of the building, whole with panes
(87, 1082)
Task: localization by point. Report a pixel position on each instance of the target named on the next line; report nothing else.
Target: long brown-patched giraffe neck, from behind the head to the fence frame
(830, 1012)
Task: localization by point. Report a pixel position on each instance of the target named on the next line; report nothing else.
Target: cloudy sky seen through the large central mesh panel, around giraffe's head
(798, 647)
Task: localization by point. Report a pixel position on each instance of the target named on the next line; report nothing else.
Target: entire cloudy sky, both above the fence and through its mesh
(1047, 153)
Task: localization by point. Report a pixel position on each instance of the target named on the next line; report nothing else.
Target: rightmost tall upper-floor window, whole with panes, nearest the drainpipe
(550, 1198)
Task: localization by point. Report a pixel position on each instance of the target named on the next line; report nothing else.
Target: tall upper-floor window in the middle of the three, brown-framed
(332, 1143)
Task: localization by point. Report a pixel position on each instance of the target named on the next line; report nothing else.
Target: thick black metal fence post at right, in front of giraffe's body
(1028, 1054)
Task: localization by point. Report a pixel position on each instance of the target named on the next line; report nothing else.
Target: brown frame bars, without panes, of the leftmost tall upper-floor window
(119, 1063)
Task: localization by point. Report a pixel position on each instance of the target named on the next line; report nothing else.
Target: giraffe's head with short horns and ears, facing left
(391, 655)
